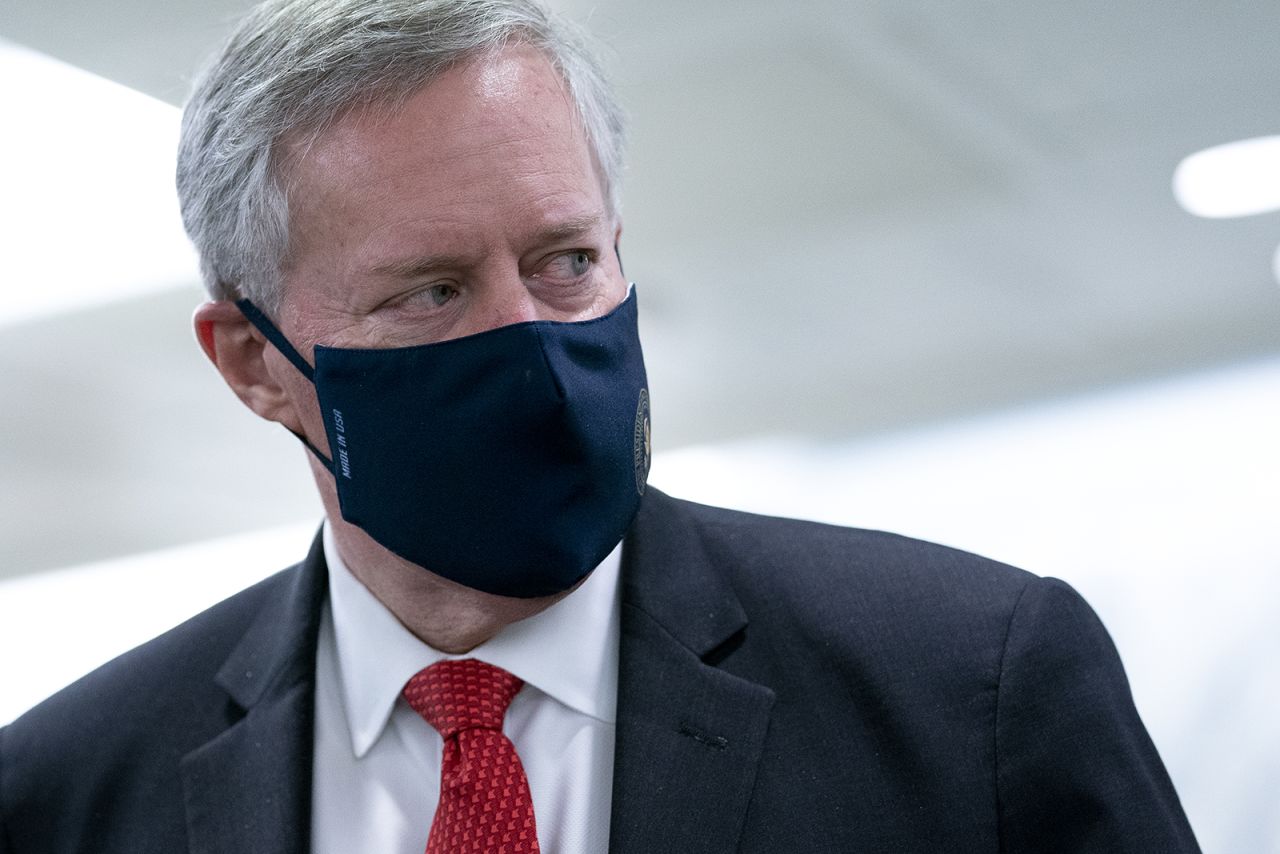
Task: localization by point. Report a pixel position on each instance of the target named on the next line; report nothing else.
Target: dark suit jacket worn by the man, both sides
(785, 687)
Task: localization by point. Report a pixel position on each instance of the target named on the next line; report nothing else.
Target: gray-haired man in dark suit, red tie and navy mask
(408, 218)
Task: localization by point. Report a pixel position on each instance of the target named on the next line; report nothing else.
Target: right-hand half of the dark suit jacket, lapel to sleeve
(906, 696)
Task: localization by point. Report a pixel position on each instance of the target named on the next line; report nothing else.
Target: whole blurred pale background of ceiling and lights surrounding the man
(906, 266)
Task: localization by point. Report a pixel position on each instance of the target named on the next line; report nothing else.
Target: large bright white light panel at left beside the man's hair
(90, 213)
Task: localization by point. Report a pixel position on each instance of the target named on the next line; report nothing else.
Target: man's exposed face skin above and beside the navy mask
(474, 205)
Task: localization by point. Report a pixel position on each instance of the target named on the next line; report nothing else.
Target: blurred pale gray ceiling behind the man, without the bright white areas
(843, 218)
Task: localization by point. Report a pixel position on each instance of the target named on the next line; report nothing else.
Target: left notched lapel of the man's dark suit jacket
(250, 788)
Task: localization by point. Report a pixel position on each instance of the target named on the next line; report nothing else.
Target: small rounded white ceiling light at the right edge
(1235, 180)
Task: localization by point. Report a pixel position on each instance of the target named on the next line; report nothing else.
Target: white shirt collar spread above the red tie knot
(569, 652)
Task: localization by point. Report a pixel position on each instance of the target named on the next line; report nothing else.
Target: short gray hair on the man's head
(294, 66)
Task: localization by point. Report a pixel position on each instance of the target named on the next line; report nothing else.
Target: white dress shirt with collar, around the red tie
(378, 764)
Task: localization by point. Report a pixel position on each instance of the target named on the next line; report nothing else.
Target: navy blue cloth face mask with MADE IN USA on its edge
(511, 462)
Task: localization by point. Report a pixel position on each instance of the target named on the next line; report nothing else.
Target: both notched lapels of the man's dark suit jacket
(689, 736)
